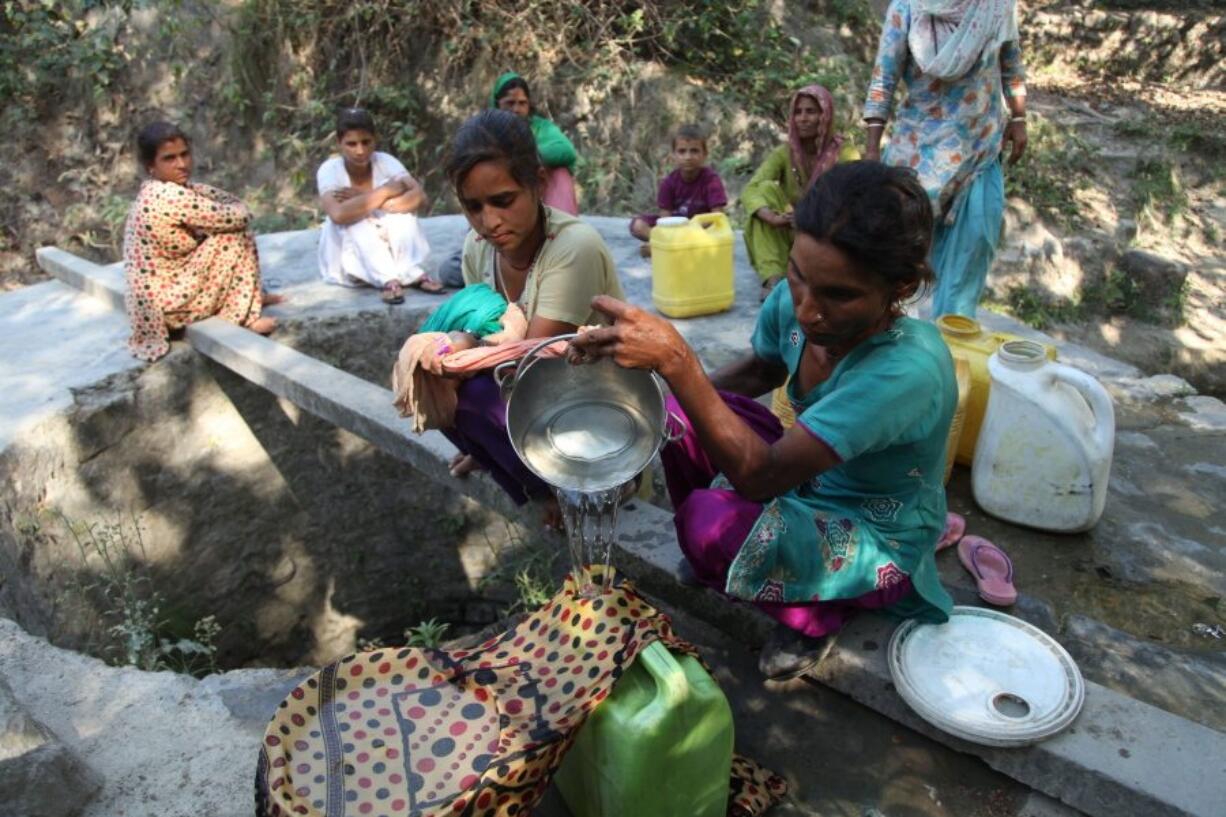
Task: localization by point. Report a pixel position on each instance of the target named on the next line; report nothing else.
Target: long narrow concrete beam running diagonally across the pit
(1121, 758)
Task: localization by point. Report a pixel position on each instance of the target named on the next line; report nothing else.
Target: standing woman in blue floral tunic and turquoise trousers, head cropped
(965, 100)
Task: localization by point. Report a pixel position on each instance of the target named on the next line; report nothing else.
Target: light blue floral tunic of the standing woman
(947, 129)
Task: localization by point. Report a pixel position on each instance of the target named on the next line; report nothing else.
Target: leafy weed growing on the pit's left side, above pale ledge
(113, 555)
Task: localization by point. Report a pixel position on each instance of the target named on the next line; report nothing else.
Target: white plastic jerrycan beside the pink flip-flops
(1045, 451)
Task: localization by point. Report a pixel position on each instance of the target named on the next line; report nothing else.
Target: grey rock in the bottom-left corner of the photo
(40, 776)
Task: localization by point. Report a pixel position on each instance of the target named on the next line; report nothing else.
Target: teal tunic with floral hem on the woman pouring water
(872, 522)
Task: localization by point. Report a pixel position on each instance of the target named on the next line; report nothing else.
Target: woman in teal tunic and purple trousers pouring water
(842, 512)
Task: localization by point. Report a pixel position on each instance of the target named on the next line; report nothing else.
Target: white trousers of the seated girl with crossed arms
(382, 248)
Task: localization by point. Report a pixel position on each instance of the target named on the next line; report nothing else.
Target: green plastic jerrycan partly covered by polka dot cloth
(659, 746)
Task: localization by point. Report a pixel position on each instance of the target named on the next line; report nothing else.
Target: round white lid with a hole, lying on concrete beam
(986, 678)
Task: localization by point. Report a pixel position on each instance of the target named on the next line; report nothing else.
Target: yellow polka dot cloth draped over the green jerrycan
(475, 733)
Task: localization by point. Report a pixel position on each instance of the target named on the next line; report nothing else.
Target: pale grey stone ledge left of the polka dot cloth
(161, 744)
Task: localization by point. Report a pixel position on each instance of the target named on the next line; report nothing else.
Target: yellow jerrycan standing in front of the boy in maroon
(692, 269)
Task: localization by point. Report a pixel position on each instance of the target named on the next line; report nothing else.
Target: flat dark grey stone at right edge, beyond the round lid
(1190, 685)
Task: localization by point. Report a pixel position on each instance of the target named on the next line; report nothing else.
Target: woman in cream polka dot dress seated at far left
(188, 252)
